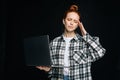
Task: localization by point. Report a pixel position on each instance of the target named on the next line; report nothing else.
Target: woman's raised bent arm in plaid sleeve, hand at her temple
(95, 49)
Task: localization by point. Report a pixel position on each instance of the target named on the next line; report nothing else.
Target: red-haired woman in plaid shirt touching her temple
(71, 53)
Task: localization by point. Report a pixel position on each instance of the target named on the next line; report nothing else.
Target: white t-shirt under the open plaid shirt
(66, 55)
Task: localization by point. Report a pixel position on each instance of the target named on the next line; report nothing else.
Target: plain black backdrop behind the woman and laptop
(24, 18)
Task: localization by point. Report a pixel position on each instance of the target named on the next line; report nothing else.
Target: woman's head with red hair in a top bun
(71, 18)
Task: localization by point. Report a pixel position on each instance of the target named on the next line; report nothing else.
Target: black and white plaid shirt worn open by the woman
(82, 52)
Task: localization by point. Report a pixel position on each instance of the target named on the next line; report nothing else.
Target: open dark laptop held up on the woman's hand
(36, 51)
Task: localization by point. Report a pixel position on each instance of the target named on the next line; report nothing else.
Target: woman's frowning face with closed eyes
(71, 21)
